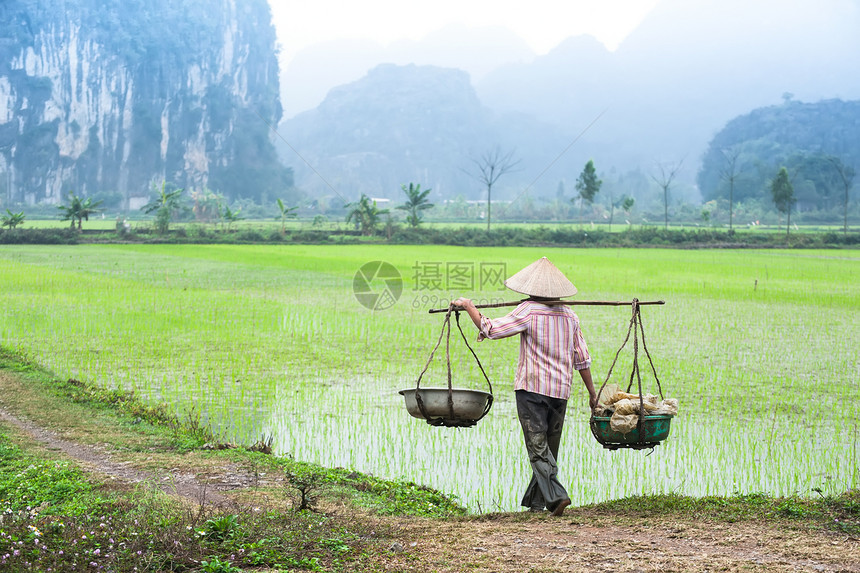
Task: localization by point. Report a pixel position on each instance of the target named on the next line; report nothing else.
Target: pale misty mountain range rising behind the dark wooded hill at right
(683, 73)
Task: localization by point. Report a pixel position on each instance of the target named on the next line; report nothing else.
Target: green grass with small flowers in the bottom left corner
(53, 518)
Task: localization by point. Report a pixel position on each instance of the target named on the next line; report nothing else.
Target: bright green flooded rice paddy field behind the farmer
(760, 347)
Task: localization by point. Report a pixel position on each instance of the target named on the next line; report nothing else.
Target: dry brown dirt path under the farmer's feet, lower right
(542, 544)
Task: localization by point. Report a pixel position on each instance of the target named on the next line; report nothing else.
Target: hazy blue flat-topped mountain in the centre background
(402, 124)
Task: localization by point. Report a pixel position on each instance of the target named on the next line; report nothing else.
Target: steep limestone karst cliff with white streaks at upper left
(108, 96)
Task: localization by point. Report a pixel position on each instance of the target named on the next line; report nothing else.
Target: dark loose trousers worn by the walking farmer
(542, 419)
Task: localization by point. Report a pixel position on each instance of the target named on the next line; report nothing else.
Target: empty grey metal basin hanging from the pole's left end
(469, 406)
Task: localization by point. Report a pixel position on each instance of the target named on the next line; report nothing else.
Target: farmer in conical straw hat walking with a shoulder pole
(551, 348)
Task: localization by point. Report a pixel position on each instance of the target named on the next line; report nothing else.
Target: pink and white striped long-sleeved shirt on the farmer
(551, 346)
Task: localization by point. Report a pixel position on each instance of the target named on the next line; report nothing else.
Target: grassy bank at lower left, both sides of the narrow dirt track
(56, 517)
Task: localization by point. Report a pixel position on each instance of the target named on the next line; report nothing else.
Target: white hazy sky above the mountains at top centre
(541, 23)
